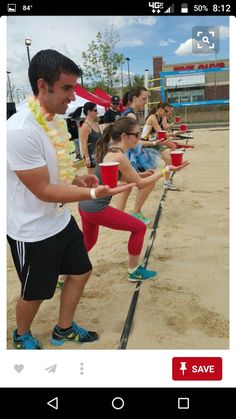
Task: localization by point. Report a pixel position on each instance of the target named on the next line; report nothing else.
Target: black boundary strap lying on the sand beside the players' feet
(128, 322)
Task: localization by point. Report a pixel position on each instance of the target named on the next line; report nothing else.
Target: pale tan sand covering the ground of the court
(187, 305)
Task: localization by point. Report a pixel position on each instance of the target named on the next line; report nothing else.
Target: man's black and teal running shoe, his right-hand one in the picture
(74, 334)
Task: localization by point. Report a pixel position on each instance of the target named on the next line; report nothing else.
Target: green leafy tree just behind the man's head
(101, 62)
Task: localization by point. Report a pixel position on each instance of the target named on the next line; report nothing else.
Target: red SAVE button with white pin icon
(197, 368)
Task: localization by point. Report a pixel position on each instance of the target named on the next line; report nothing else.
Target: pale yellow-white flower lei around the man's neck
(60, 138)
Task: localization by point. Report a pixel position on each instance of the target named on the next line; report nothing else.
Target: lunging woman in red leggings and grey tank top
(125, 134)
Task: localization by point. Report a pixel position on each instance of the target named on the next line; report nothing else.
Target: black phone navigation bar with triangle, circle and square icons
(121, 402)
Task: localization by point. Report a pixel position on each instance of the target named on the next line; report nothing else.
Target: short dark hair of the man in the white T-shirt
(48, 65)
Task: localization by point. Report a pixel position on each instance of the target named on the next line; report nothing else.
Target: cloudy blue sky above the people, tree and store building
(141, 38)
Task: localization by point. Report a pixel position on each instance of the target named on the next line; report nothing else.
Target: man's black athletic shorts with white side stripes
(39, 264)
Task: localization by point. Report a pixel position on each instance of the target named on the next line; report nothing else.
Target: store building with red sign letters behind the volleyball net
(193, 87)
